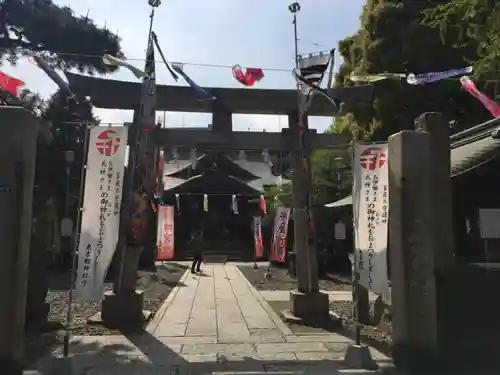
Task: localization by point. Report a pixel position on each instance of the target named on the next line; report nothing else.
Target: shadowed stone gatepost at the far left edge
(18, 135)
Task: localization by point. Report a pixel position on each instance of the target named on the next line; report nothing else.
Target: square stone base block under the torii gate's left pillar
(123, 310)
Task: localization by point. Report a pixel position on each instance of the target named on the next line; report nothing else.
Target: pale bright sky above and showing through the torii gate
(256, 33)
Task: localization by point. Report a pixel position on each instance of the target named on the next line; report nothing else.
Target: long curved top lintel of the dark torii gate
(114, 94)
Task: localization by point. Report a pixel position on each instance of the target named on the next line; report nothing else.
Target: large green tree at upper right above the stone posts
(402, 36)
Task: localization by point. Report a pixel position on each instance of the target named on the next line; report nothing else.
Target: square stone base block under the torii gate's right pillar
(309, 305)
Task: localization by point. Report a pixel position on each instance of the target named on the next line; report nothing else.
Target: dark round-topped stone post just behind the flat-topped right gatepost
(439, 131)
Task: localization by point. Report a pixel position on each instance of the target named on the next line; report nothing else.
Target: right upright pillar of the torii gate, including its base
(307, 301)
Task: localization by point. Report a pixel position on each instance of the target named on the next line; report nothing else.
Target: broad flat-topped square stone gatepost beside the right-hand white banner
(412, 250)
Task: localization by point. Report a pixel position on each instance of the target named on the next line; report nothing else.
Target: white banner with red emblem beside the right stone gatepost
(371, 215)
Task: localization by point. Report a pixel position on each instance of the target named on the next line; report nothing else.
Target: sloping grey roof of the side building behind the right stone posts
(470, 149)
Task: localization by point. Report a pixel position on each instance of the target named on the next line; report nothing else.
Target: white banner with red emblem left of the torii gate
(101, 208)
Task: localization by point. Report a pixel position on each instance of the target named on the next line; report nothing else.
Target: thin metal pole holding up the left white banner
(69, 311)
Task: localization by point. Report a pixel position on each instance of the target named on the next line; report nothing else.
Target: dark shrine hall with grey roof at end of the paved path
(216, 192)
